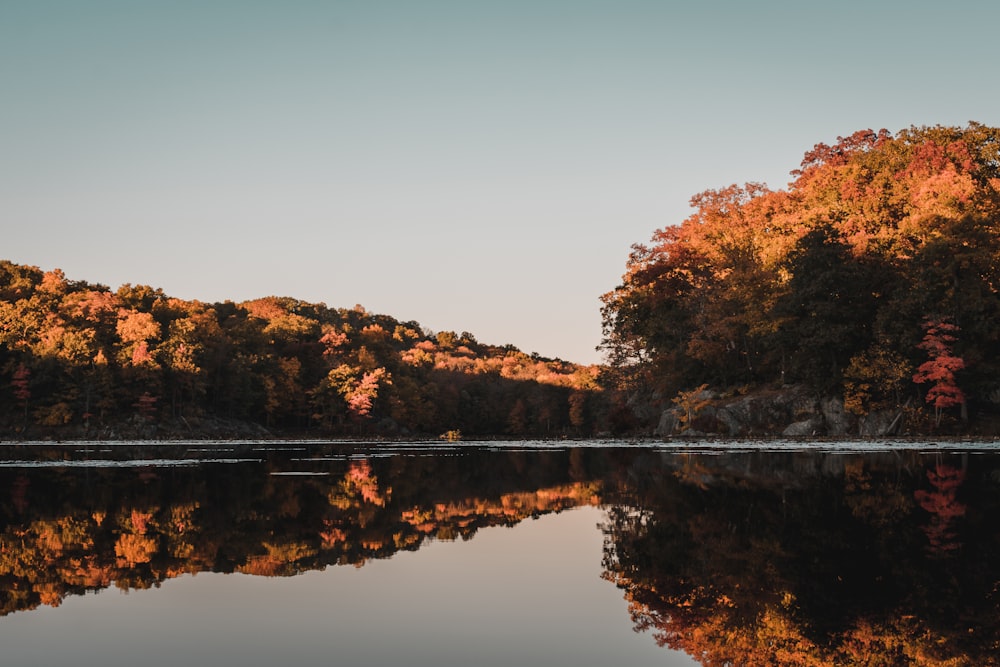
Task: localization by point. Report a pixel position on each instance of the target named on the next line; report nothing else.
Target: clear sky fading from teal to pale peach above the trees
(473, 166)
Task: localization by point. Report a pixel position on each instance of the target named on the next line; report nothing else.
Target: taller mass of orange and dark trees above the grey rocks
(872, 278)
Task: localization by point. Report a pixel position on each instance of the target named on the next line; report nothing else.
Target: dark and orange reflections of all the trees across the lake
(743, 558)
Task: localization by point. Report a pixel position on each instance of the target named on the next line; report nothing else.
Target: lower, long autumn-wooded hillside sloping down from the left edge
(82, 360)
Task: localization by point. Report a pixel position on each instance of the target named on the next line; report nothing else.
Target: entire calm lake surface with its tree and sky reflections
(507, 553)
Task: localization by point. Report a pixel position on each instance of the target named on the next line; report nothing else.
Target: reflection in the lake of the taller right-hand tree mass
(812, 559)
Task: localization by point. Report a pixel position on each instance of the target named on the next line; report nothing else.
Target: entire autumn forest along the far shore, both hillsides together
(872, 279)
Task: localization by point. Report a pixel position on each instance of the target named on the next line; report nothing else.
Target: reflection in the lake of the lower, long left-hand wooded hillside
(66, 530)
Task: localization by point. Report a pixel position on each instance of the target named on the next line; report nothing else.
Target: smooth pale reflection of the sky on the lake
(528, 595)
